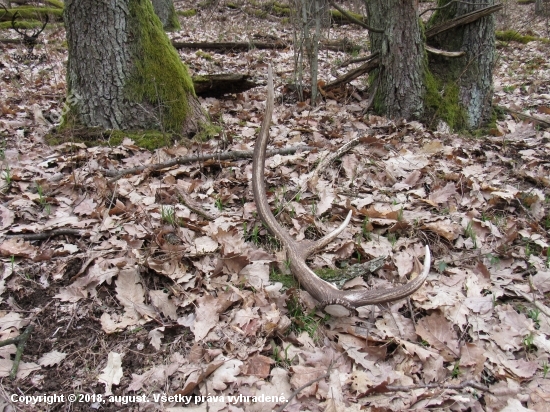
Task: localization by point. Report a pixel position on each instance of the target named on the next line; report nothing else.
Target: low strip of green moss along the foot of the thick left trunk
(147, 139)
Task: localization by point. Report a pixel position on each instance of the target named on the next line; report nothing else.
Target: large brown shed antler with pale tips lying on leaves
(298, 252)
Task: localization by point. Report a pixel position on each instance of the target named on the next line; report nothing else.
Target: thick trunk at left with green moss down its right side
(122, 71)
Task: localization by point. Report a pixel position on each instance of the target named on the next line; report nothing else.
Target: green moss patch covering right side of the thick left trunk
(160, 78)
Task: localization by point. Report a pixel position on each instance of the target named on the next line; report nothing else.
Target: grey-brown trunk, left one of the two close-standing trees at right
(401, 54)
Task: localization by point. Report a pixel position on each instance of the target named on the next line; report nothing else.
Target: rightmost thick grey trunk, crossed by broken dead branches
(472, 73)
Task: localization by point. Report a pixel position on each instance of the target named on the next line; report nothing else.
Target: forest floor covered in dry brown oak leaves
(173, 287)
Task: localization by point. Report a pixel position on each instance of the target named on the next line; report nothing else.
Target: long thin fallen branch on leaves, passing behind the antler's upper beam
(234, 155)
